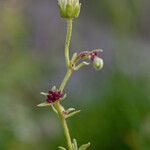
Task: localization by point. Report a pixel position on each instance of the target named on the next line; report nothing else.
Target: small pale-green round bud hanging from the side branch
(98, 63)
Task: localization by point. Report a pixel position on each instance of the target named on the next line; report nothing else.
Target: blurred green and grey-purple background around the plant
(115, 102)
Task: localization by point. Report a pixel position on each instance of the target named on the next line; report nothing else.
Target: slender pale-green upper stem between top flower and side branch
(68, 38)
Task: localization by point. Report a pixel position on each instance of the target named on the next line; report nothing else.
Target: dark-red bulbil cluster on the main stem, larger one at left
(54, 96)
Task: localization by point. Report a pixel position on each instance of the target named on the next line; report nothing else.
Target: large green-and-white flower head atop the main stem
(69, 8)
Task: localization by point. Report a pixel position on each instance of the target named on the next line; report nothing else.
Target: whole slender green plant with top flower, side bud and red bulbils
(69, 10)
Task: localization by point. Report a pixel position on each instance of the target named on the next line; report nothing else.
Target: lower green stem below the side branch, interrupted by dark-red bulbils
(60, 113)
